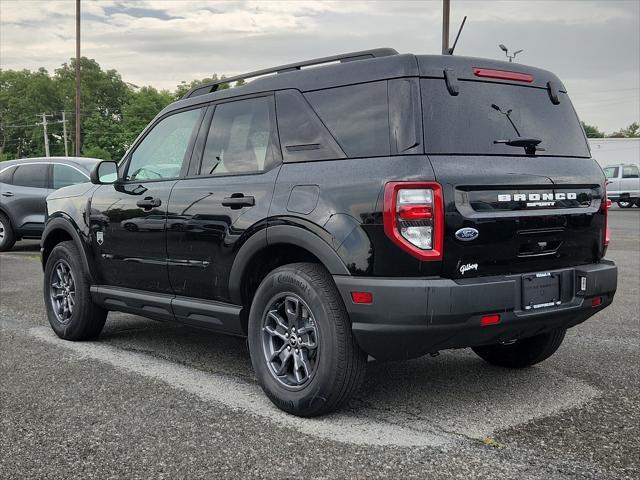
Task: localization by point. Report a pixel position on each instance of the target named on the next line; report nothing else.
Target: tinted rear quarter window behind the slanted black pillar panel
(357, 116)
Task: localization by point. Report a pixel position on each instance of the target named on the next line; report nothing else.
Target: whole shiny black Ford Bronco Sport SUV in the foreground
(384, 205)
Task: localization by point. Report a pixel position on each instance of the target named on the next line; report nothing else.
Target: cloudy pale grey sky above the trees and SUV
(593, 46)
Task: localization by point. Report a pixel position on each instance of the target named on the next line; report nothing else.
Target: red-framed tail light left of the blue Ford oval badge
(414, 218)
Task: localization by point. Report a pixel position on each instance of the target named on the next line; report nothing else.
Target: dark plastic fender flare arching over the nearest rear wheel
(282, 234)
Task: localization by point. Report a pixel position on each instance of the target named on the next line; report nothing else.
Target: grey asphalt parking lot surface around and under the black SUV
(154, 400)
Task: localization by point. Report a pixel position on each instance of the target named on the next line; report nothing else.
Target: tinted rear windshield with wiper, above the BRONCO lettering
(484, 112)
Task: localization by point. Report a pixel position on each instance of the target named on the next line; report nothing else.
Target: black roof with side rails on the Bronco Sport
(362, 68)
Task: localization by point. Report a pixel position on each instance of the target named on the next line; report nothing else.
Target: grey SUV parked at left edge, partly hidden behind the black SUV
(24, 186)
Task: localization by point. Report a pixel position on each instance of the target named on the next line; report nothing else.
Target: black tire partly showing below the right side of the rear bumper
(523, 353)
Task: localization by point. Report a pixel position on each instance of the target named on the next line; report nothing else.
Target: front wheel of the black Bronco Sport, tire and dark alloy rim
(64, 272)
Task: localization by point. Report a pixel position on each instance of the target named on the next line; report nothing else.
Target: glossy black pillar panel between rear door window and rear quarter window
(302, 135)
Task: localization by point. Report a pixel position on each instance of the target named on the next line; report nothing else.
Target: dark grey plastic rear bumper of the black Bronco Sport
(410, 317)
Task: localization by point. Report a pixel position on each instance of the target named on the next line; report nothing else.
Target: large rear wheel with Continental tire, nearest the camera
(336, 366)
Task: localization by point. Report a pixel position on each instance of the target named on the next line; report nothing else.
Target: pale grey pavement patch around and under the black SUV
(448, 407)
